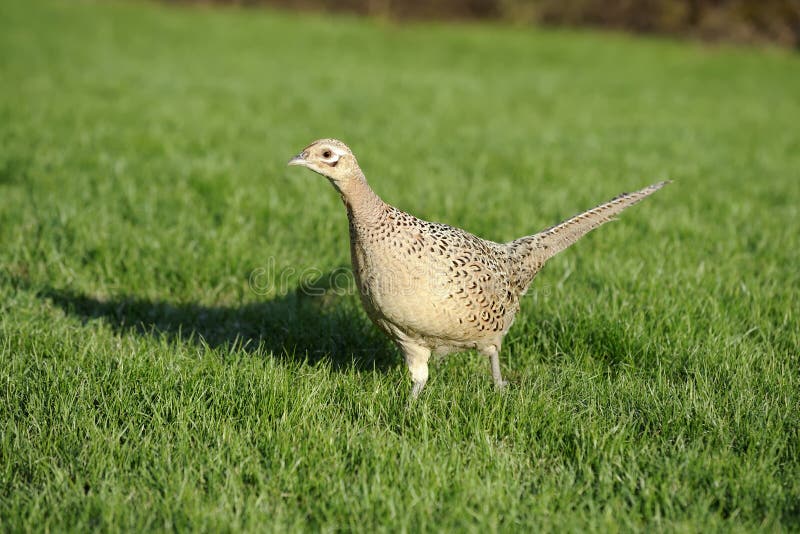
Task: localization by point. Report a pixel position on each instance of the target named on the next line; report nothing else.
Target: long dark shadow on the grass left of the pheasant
(312, 326)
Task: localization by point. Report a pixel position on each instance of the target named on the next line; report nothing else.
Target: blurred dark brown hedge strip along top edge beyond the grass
(741, 21)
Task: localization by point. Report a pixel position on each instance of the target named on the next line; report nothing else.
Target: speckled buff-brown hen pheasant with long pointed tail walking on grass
(433, 288)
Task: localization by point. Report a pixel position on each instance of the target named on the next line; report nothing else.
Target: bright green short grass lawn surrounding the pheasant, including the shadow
(162, 370)
